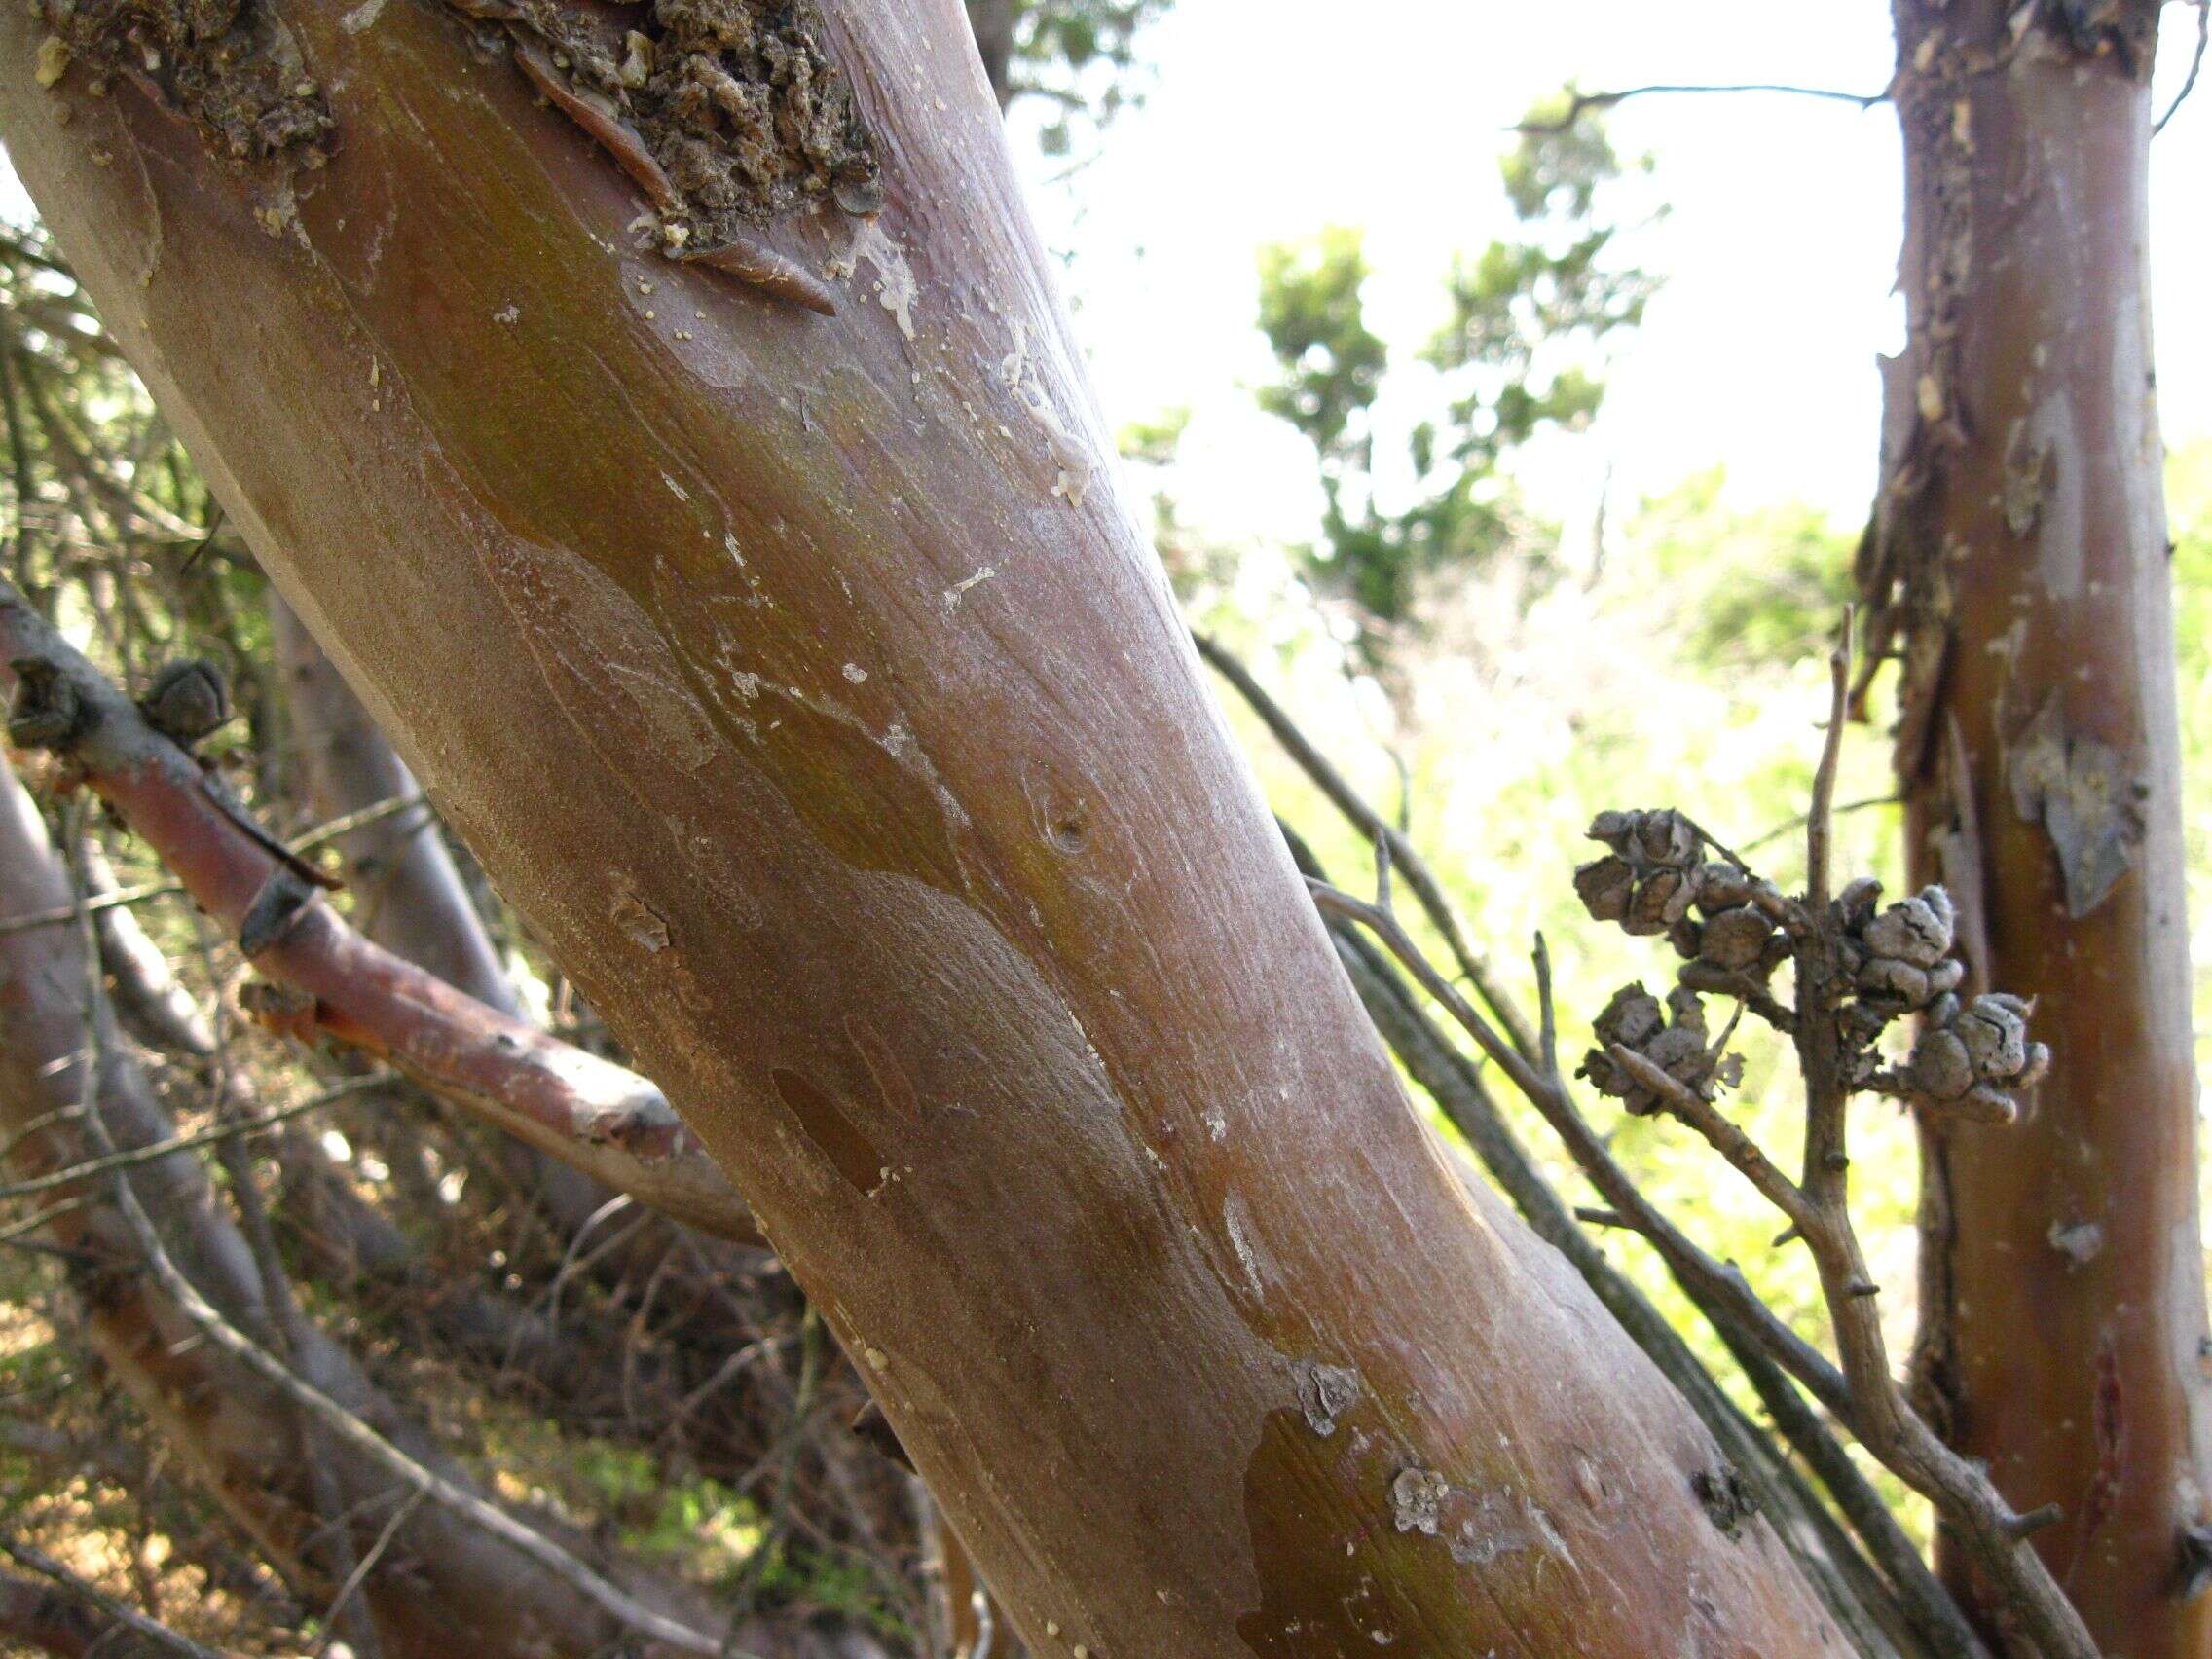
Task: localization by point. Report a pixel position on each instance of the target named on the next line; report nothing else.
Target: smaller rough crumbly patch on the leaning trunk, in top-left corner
(229, 67)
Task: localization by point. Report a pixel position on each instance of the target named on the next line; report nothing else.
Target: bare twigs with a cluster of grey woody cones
(1857, 970)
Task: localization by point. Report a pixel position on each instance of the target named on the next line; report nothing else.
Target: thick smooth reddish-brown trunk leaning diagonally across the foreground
(811, 689)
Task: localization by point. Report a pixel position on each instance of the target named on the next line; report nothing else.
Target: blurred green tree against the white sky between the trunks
(1516, 359)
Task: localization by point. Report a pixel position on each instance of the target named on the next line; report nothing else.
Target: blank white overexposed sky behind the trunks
(1273, 118)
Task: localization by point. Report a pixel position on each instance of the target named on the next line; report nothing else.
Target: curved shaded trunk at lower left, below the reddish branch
(444, 1587)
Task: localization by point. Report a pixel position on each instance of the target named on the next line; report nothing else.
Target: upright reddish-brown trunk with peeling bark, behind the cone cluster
(2021, 563)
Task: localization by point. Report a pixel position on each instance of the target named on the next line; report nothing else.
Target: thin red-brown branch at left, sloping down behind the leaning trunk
(585, 1112)
